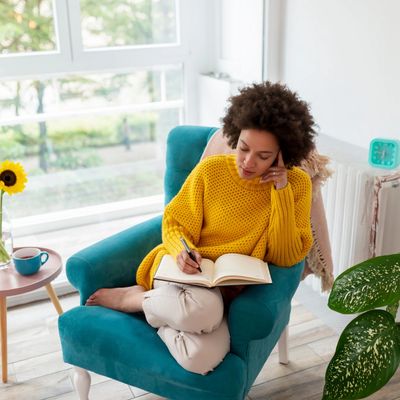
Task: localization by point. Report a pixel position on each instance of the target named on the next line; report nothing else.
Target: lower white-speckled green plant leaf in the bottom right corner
(366, 357)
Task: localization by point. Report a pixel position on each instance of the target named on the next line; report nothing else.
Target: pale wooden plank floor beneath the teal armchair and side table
(37, 372)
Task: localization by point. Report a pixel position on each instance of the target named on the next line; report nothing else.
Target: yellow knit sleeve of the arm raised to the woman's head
(289, 232)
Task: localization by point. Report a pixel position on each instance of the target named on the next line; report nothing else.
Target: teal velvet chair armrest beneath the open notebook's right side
(253, 314)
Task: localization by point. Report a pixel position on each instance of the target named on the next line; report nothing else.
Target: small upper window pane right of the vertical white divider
(130, 23)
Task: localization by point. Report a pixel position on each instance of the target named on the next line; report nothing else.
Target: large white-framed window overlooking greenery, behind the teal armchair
(87, 97)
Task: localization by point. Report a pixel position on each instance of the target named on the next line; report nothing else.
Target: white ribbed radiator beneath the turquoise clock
(356, 232)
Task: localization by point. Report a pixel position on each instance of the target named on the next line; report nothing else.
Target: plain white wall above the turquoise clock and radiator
(343, 56)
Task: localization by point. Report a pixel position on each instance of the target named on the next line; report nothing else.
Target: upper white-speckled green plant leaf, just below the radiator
(368, 285)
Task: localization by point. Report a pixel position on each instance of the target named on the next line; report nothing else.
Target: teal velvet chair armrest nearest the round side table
(113, 261)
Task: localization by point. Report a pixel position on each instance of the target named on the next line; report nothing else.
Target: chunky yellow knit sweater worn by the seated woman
(218, 212)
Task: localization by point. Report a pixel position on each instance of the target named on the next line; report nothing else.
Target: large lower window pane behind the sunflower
(83, 141)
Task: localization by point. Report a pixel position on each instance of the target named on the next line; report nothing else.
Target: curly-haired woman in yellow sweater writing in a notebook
(253, 202)
